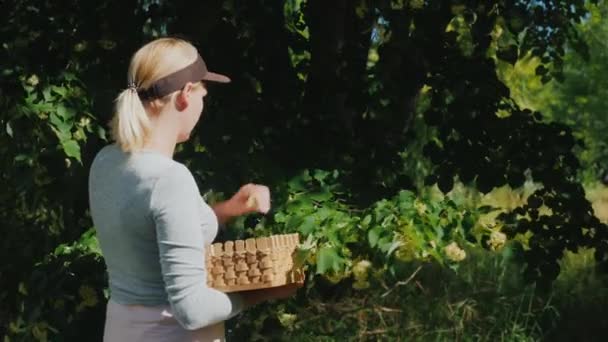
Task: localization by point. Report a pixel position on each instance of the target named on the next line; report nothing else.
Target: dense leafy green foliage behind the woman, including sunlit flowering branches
(354, 112)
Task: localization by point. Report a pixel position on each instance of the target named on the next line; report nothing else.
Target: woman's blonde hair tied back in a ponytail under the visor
(131, 124)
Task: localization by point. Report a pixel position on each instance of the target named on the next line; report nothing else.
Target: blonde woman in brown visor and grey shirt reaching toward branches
(151, 221)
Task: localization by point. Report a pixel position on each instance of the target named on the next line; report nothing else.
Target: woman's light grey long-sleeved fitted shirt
(153, 226)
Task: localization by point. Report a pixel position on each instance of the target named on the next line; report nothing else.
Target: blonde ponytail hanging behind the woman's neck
(131, 124)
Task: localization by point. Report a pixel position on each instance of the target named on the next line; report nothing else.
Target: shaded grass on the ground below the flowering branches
(484, 301)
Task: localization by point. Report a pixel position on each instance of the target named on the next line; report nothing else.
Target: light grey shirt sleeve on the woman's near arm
(175, 203)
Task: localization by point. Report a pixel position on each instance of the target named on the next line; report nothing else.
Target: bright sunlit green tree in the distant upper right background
(578, 97)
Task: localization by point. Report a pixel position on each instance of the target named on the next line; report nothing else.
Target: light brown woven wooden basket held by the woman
(252, 264)
